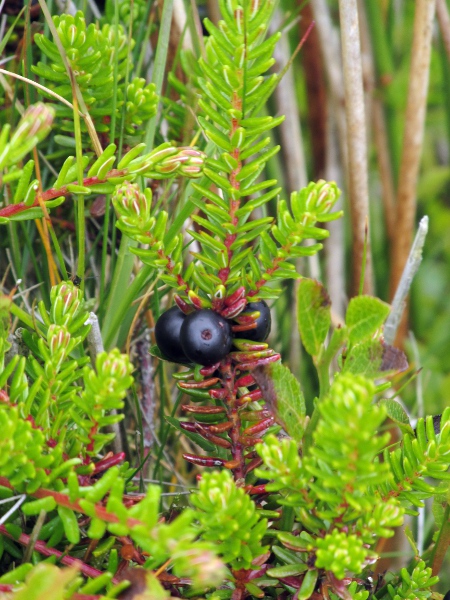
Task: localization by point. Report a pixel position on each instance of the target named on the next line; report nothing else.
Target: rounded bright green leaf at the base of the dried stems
(365, 314)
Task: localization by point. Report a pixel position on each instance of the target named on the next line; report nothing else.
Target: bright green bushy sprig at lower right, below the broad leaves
(333, 487)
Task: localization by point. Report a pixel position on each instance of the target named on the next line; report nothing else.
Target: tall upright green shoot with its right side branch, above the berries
(235, 250)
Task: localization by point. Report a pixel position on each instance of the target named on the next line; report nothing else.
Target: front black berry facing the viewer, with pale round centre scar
(205, 337)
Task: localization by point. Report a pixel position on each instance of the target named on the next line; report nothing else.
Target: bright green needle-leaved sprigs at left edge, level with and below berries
(44, 388)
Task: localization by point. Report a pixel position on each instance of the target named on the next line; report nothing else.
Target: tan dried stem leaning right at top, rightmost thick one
(412, 138)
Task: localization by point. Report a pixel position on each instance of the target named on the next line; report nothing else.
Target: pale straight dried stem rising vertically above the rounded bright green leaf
(358, 187)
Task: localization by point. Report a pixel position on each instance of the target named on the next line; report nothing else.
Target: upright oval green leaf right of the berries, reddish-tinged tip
(313, 314)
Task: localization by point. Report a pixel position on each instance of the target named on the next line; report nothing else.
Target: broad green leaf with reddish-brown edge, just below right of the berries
(284, 397)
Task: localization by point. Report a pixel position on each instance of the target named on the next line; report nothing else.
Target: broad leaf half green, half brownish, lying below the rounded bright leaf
(374, 357)
